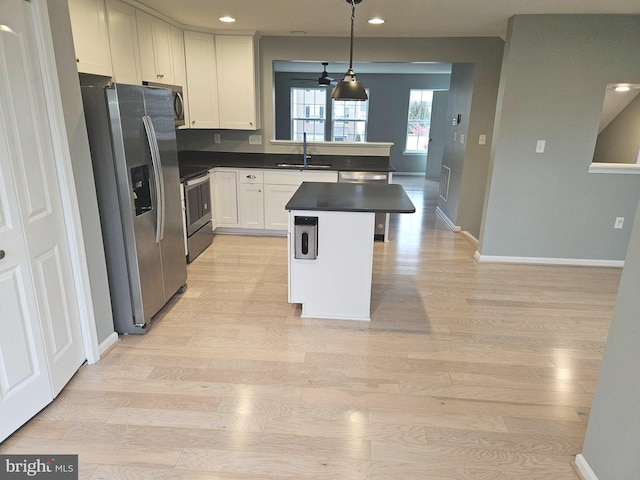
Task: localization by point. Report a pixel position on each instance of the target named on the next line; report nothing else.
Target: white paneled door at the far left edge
(40, 341)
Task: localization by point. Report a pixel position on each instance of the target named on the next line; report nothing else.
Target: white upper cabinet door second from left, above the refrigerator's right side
(123, 38)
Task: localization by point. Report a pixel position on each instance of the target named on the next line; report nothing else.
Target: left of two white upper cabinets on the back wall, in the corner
(202, 88)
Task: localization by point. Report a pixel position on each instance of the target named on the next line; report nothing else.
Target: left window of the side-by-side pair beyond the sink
(308, 113)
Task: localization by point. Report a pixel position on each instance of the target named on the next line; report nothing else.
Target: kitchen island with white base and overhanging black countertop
(330, 245)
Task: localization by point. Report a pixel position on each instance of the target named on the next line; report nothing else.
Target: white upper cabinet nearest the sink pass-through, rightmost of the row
(237, 98)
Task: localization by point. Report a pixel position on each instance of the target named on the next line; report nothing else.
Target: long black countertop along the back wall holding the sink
(190, 158)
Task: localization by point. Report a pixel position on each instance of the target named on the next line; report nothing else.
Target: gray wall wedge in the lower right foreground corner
(613, 433)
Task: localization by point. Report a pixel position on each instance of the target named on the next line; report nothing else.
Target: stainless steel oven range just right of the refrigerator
(197, 197)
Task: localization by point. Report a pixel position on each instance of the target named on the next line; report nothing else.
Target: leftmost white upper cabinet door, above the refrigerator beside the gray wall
(90, 36)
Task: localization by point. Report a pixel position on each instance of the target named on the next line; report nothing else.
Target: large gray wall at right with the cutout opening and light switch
(554, 75)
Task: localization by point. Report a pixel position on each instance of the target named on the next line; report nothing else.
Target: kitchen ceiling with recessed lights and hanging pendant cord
(416, 18)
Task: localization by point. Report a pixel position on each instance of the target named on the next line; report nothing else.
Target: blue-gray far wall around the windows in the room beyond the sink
(388, 104)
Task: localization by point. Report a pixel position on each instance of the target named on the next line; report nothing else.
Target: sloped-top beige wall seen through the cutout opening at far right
(619, 142)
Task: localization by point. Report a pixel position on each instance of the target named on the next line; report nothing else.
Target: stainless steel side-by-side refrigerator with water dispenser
(135, 163)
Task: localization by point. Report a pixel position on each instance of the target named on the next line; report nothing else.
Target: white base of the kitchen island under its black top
(336, 284)
